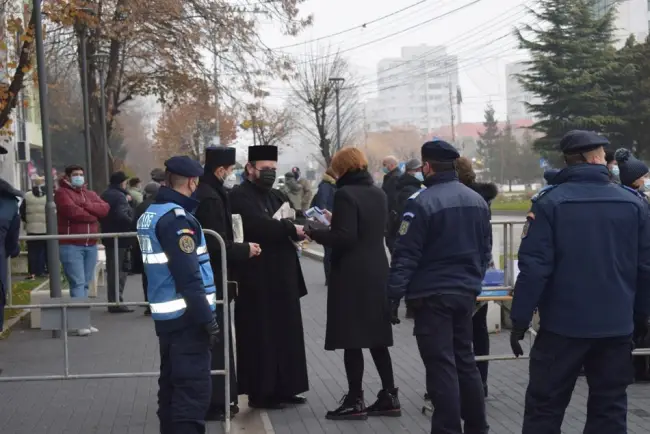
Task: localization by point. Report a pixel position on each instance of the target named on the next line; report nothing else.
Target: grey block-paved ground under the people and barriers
(127, 343)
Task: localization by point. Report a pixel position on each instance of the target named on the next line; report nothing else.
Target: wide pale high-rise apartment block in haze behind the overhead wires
(413, 90)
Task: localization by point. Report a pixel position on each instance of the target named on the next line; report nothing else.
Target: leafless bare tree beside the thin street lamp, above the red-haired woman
(317, 102)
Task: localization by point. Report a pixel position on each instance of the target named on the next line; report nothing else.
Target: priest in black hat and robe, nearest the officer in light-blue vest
(214, 213)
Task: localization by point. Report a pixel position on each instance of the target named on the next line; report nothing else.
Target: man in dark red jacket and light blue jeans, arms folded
(78, 211)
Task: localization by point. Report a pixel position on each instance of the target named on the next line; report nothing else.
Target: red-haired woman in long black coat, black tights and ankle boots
(358, 312)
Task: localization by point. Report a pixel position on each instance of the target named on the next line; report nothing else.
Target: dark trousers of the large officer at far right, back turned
(555, 363)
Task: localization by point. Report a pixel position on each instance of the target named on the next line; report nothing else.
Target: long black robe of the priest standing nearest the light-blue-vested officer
(214, 213)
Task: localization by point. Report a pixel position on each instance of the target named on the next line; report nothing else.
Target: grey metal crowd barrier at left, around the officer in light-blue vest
(64, 307)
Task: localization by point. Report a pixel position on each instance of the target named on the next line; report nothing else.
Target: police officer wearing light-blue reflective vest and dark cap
(182, 298)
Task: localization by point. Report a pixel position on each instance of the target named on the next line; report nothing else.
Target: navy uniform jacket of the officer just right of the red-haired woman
(444, 242)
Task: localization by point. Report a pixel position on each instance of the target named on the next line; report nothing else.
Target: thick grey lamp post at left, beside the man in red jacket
(50, 207)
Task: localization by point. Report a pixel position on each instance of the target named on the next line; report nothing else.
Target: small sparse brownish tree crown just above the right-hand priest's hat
(271, 126)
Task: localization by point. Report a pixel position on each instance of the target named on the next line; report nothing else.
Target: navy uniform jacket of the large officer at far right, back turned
(584, 259)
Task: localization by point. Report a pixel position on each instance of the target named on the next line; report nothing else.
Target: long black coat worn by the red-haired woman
(358, 312)
